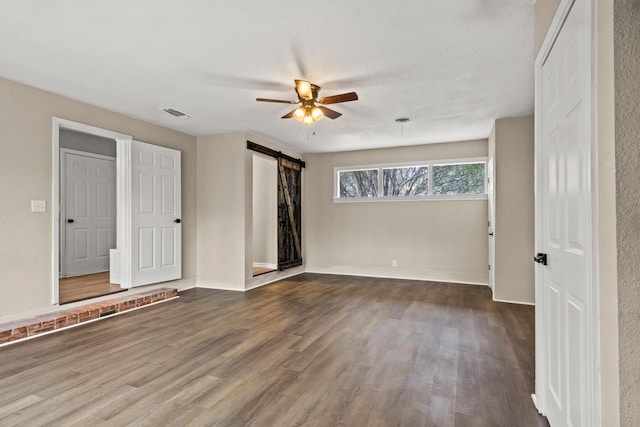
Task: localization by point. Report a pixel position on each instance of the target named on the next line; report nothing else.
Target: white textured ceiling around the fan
(453, 66)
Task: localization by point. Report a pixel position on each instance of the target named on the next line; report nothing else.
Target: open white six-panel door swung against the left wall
(156, 238)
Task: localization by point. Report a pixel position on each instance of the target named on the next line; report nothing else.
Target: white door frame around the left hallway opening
(58, 124)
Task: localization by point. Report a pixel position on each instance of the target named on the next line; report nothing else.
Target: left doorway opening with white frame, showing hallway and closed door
(84, 205)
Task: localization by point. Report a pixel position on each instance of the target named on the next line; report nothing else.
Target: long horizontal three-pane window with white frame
(460, 178)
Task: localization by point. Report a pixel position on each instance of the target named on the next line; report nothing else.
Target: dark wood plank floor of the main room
(314, 350)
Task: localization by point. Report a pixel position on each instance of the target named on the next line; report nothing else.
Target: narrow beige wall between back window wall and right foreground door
(512, 144)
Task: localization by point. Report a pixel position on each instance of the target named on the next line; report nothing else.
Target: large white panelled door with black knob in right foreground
(566, 224)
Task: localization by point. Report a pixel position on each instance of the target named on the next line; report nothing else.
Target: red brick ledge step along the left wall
(22, 329)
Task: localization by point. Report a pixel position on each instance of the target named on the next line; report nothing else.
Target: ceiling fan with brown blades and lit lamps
(310, 112)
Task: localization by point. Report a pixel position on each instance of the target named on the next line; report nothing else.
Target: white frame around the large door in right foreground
(593, 381)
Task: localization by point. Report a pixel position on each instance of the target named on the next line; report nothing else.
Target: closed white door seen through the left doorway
(90, 213)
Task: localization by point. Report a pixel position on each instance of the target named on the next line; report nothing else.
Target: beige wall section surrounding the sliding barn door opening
(225, 207)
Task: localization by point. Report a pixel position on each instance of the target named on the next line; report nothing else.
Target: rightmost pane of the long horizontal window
(465, 178)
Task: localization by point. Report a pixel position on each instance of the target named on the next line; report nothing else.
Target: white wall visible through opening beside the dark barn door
(265, 210)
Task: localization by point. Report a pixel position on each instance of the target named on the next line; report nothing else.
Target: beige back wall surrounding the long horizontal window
(431, 240)
